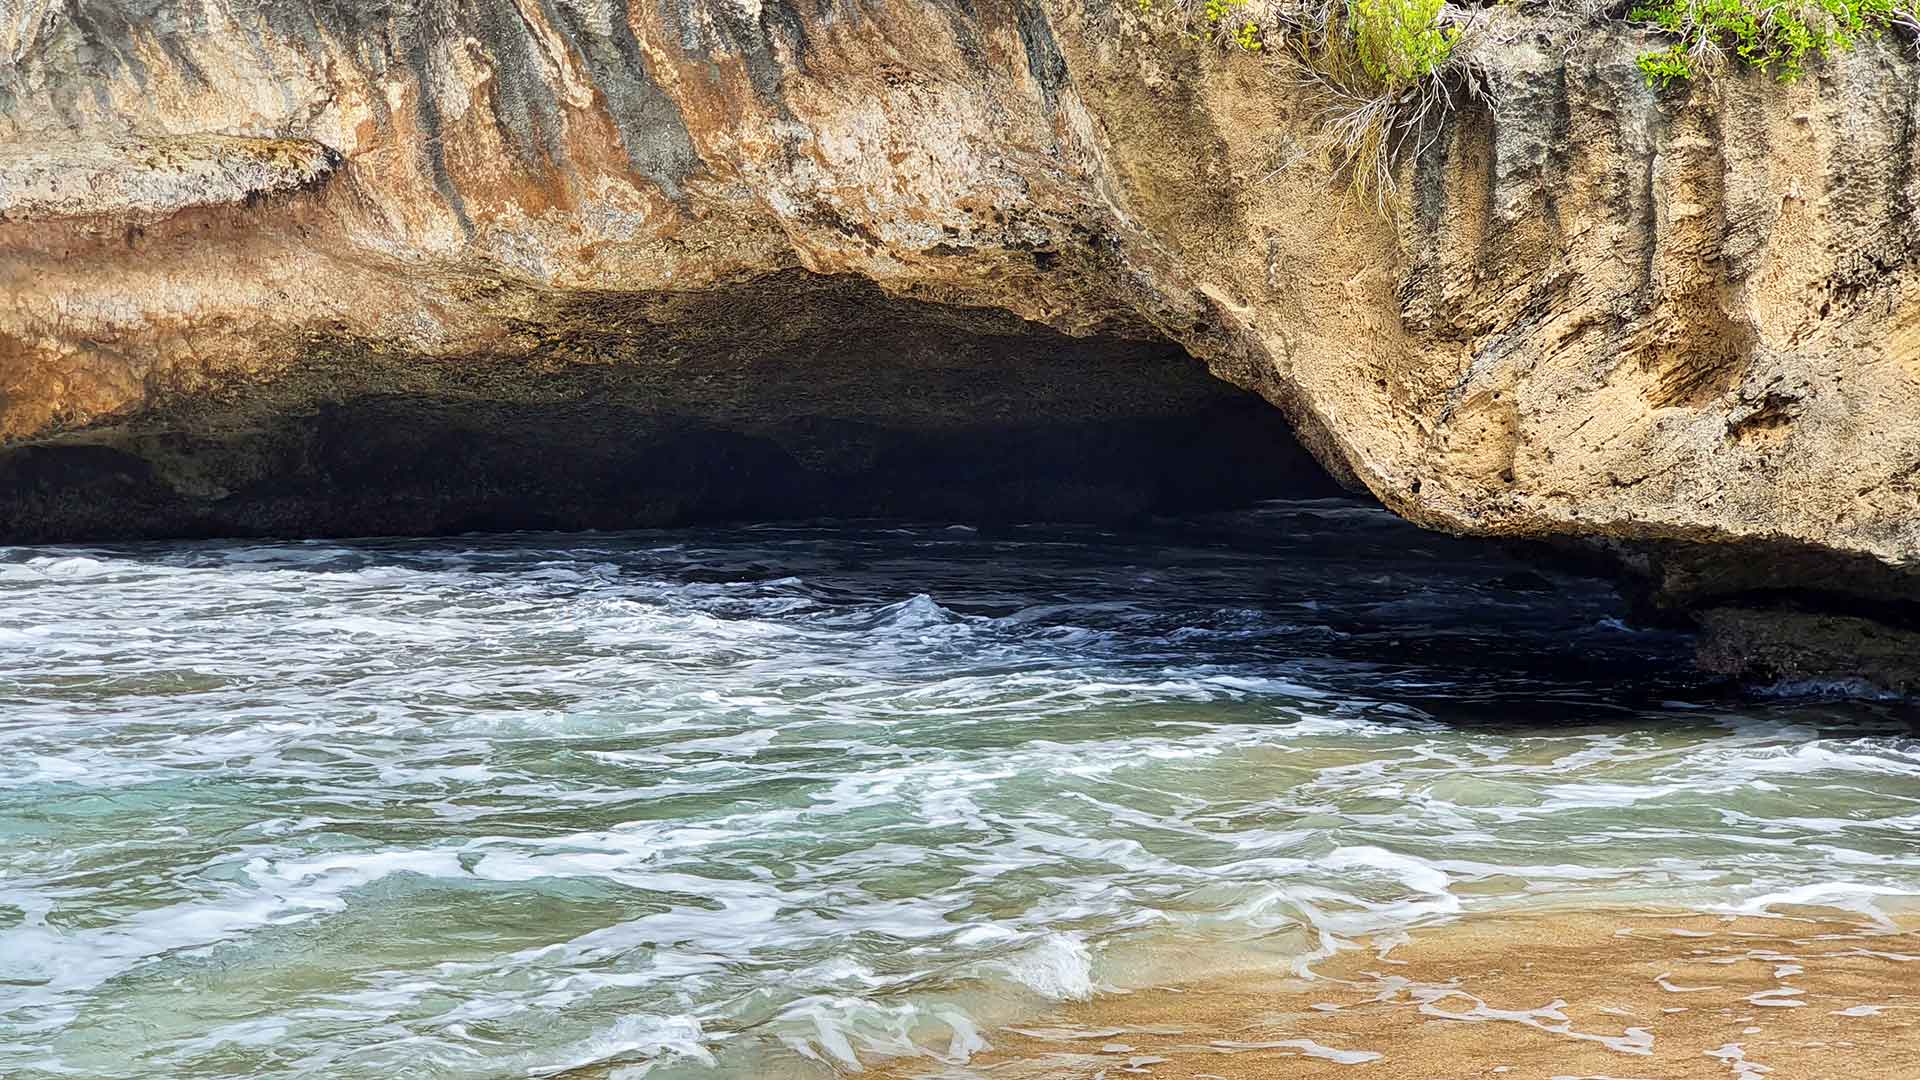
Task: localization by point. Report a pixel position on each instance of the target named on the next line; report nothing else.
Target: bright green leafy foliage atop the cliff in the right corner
(1771, 36)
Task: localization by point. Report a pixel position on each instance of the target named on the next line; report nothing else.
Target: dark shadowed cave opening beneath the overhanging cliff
(784, 397)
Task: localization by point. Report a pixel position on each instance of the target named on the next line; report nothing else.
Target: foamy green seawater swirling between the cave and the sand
(775, 800)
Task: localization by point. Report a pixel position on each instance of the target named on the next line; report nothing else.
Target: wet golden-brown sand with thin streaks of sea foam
(1591, 996)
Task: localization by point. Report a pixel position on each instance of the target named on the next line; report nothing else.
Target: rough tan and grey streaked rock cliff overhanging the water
(1677, 324)
